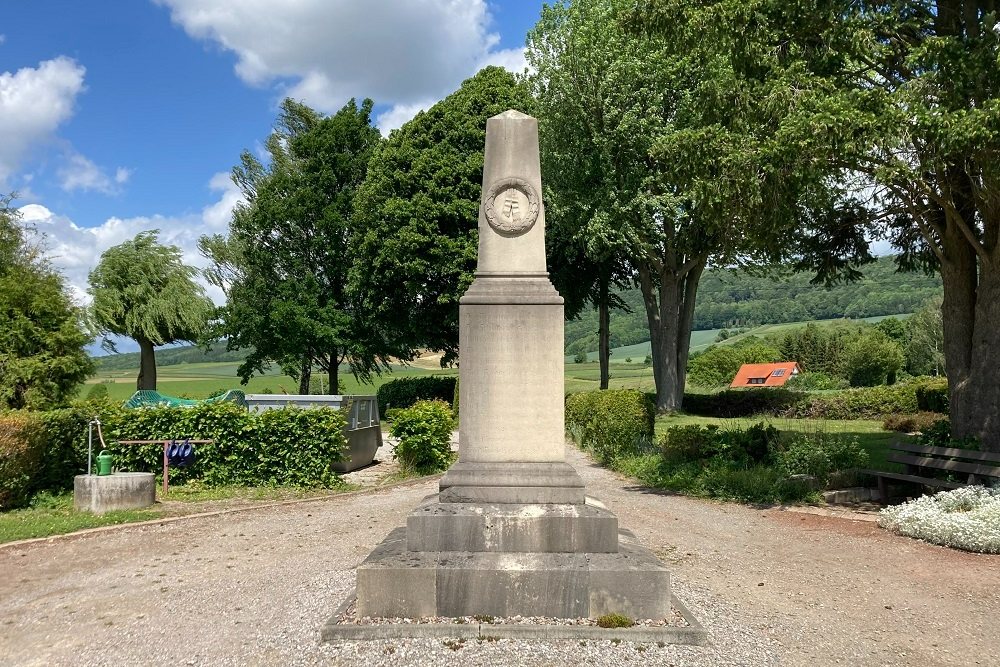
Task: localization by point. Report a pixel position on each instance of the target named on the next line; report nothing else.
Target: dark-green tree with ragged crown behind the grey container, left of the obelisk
(286, 260)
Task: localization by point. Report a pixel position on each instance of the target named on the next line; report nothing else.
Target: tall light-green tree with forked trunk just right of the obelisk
(677, 161)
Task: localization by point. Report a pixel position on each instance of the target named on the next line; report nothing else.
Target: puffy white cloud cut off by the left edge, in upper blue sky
(33, 103)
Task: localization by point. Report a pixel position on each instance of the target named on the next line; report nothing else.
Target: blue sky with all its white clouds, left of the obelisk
(116, 117)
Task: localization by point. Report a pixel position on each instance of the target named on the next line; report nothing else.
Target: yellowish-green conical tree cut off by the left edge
(42, 337)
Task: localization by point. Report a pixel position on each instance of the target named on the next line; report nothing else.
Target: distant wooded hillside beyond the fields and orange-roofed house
(728, 299)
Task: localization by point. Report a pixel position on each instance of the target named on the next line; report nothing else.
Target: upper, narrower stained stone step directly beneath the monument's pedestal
(538, 528)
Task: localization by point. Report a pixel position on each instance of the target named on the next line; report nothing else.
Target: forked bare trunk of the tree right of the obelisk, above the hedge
(670, 313)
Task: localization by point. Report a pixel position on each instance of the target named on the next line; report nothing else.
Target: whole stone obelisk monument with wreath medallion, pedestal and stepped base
(511, 531)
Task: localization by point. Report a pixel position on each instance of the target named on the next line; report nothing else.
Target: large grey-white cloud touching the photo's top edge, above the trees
(400, 53)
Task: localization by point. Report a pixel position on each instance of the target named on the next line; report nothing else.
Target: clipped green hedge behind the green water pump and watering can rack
(43, 451)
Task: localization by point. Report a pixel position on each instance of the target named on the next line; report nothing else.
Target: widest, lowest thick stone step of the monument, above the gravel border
(396, 582)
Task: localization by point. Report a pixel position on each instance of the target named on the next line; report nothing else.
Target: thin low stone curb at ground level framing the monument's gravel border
(334, 630)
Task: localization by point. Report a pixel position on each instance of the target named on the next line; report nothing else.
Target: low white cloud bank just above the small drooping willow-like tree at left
(75, 250)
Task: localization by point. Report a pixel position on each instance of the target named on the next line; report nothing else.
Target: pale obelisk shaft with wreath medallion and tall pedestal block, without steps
(511, 318)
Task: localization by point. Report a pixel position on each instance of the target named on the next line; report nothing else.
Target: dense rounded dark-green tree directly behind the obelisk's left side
(417, 211)
